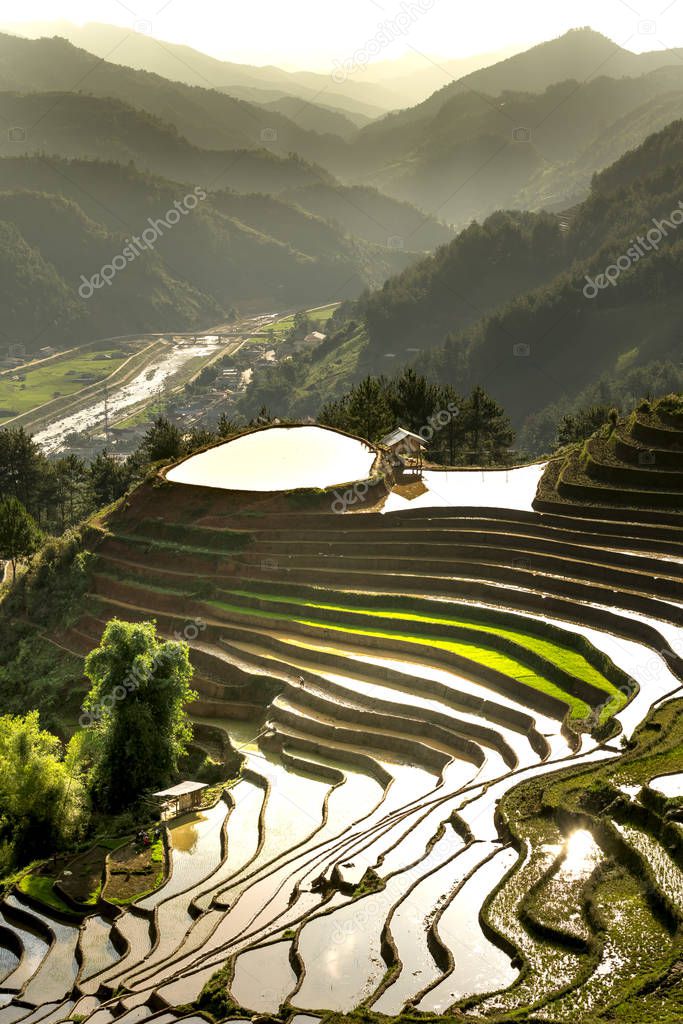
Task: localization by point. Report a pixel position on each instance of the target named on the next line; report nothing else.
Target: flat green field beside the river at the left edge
(57, 379)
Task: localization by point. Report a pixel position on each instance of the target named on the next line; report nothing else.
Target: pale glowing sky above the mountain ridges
(314, 34)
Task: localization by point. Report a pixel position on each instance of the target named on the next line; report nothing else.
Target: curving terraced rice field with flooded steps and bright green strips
(394, 681)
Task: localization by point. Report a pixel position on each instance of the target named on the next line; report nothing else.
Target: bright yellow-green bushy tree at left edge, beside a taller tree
(41, 794)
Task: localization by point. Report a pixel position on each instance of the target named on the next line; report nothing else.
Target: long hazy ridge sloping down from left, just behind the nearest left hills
(74, 126)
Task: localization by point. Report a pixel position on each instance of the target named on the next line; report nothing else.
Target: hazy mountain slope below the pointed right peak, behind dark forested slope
(481, 153)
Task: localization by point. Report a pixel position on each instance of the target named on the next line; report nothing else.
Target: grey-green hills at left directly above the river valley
(67, 220)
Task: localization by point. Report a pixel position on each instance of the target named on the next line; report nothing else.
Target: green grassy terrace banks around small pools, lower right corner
(616, 904)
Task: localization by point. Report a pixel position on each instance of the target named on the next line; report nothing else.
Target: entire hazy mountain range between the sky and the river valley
(310, 201)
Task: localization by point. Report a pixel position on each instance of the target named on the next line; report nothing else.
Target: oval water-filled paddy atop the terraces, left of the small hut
(279, 459)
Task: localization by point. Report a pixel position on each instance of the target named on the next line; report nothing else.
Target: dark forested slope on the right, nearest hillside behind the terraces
(509, 305)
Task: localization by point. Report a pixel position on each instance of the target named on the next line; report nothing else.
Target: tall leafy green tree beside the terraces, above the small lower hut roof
(141, 690)
